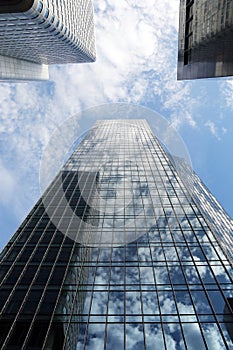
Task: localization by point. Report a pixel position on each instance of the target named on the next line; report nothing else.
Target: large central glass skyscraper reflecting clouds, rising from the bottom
(119, 253)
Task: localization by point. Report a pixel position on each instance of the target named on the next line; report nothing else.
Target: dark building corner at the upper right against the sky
(205, 39)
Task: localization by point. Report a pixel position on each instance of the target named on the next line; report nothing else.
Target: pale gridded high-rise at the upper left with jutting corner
(37, 33)
